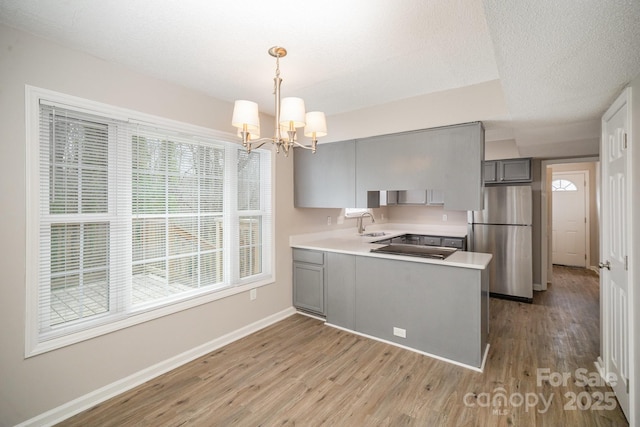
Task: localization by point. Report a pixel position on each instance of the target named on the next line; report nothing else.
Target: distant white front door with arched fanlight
(569, 230)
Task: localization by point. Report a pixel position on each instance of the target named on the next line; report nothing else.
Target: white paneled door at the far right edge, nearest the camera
(614, 279)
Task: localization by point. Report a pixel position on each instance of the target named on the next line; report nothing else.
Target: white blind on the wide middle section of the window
(178, 215)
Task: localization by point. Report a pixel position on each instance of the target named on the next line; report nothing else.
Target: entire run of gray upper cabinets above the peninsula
(352, 173)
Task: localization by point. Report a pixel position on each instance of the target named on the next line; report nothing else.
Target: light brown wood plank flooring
(300, 372)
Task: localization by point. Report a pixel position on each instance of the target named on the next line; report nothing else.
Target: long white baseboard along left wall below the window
(91, 399)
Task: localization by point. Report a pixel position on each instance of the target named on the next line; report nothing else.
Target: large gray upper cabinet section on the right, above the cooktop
(447, 158)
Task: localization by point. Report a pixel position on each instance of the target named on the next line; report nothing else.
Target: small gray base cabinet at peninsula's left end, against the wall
(309, 290)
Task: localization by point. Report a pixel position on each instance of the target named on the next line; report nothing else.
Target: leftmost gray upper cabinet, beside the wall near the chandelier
(325, 179)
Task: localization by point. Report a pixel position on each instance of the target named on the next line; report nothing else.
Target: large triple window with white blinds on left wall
(134, 218)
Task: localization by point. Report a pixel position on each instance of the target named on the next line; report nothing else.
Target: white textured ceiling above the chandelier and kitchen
(559, 63)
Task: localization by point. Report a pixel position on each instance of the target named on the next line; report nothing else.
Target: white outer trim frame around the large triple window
(34, 344)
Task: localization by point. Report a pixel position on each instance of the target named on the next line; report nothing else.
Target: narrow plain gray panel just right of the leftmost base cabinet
(341, 290)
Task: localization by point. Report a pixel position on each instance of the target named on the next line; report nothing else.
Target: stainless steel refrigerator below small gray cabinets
(503, 229)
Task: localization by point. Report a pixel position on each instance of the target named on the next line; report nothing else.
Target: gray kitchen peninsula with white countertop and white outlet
(437, 307)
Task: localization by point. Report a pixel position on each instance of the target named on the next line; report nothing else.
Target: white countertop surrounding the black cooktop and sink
(348, 241)
